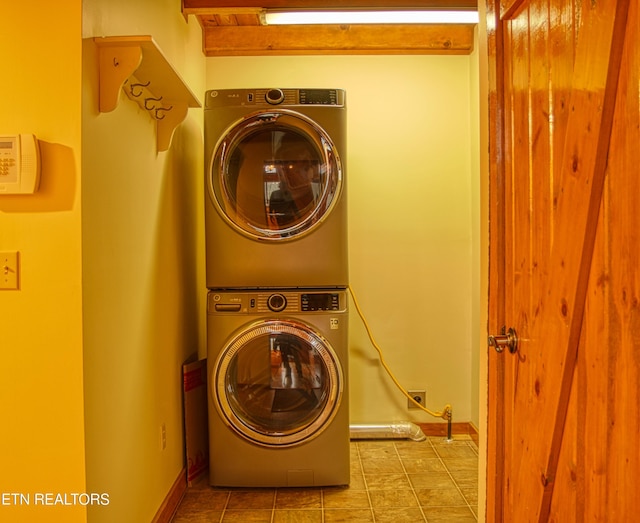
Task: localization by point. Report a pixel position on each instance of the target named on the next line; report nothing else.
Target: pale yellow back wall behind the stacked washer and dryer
(412, 172)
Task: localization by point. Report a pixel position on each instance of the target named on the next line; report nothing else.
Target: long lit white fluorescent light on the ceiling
(369, 17)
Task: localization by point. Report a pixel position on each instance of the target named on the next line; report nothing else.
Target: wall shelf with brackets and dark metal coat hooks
(136, 65)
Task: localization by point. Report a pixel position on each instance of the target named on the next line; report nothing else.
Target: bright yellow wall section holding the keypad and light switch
(42, 434)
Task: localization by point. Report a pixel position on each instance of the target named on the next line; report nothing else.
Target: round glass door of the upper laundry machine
(275, 175)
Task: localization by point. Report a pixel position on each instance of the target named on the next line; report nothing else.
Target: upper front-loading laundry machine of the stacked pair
(275, 198)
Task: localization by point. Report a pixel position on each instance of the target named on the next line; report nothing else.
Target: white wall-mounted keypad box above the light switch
(19, 164)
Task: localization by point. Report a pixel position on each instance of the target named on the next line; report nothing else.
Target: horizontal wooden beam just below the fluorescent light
(338, 39)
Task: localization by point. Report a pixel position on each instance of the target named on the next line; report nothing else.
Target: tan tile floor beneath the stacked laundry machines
(399, 481)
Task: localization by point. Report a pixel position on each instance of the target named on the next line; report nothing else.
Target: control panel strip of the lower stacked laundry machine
(308, 301)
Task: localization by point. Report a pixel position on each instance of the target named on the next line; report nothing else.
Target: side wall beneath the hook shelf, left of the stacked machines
(143, 284)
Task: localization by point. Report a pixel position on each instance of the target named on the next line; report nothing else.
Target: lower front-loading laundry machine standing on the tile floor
(278, 396)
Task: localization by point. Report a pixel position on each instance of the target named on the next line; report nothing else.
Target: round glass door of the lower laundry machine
(278, 383)
